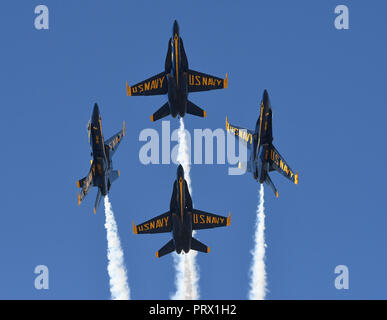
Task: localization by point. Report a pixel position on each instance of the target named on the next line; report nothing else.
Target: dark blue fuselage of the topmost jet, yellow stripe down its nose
(177, 70)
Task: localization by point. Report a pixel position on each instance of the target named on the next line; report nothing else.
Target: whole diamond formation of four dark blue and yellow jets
(177, 80)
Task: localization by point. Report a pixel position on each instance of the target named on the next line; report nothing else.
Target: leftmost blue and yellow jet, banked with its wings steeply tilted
(101, 173)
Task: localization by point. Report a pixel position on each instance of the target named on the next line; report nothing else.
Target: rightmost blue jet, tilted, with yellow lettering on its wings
(264, 157)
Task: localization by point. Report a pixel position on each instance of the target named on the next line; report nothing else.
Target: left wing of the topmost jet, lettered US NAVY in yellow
(156, 85)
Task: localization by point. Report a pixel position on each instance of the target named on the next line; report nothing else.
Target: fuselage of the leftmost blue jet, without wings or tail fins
(102, 164)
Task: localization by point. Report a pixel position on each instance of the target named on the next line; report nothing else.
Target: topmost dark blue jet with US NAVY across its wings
(177, 80)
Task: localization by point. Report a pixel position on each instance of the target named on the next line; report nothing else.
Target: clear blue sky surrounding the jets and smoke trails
(327, 89)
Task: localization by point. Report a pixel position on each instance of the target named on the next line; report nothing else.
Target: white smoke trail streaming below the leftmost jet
(117, 272)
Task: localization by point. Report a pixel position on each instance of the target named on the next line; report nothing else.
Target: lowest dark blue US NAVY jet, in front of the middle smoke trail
(181, 220)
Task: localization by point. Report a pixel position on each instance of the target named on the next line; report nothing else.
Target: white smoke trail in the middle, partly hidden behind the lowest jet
(187, 274)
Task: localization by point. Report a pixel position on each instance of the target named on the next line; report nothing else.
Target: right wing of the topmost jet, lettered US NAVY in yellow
(198, 81)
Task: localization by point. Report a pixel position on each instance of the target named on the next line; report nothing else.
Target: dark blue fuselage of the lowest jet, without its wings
(181, 212)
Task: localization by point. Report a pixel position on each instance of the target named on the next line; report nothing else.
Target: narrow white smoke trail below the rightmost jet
(258, 272)
